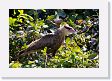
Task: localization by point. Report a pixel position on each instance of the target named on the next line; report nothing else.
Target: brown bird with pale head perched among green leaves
(52, 41)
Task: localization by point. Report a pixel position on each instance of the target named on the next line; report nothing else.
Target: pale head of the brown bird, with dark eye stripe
(67, 30)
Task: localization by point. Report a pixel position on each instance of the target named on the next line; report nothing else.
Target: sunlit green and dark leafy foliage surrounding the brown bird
(81, 49)
